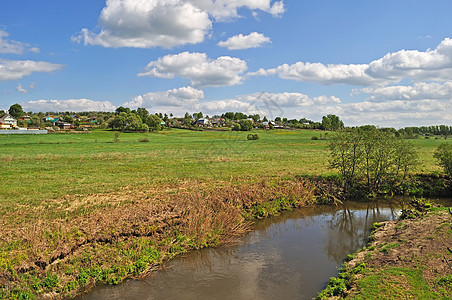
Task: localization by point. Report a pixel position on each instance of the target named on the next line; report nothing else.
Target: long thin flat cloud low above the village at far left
(68, 105)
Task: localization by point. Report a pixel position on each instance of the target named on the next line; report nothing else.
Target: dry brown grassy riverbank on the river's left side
(131, 232)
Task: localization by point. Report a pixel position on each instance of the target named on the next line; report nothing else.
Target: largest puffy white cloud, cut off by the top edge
(165, 23)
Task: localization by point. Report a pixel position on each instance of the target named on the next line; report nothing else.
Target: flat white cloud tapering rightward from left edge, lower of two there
(16, 69)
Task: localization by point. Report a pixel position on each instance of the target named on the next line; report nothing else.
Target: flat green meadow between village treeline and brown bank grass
(43, 167)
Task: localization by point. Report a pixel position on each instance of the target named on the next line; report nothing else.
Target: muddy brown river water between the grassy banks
(291, 256)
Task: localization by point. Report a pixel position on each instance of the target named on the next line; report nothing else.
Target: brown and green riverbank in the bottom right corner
(405, 259)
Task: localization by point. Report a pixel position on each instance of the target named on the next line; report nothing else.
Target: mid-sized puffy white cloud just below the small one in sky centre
(202, 71)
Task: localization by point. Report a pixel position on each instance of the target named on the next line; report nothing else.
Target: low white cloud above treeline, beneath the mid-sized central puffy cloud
(185, 97)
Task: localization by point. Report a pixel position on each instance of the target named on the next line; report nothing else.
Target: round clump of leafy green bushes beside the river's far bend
(374, 157)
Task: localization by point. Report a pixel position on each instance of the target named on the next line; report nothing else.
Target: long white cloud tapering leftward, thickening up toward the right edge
(393, 67)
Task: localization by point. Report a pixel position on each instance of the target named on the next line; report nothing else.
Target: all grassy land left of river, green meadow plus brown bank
(90, 192)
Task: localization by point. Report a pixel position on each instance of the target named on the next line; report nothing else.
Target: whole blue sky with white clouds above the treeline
(387, 63)
